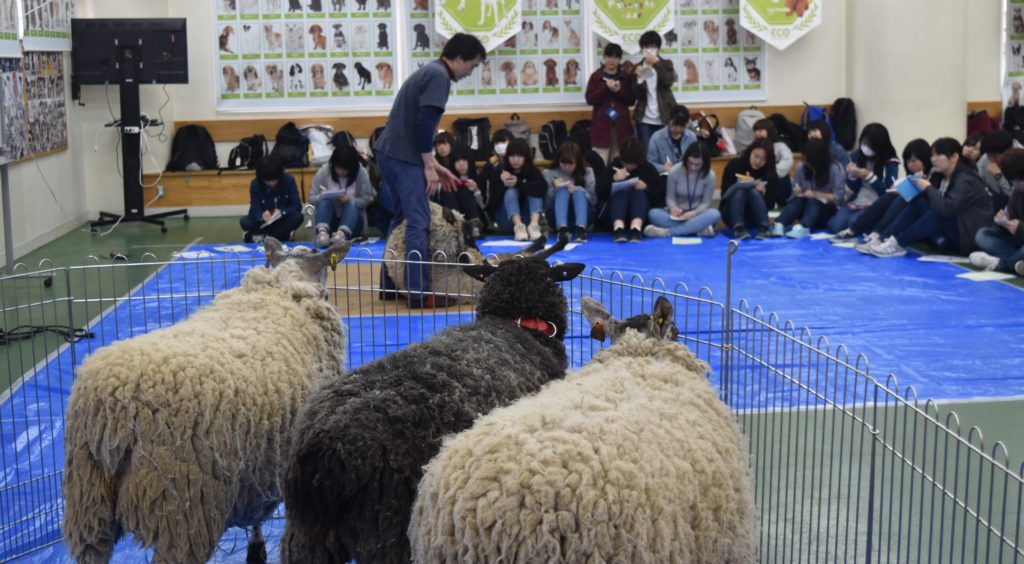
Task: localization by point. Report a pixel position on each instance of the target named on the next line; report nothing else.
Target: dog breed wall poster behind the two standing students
(715, 59)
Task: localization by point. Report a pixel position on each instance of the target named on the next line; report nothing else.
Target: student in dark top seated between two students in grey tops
(626, 187)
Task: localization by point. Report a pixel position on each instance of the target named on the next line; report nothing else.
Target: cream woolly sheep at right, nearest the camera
(632, 459)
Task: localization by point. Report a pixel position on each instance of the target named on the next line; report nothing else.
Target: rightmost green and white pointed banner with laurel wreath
(780, 23)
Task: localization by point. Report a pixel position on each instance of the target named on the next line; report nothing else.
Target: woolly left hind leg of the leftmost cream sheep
(91, 527)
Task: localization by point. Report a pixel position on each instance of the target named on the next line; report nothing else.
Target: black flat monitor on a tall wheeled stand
(147, 52)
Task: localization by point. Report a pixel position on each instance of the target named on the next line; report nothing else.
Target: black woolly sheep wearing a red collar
(361, 443)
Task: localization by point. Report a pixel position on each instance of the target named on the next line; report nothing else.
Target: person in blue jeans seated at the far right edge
(1003, 245)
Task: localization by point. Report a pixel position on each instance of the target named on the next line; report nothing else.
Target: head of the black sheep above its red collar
(522, 289)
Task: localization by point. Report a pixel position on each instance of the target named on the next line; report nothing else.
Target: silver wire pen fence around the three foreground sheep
(848, 466)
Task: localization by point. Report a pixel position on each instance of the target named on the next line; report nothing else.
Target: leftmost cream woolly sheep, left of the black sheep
(178, 435)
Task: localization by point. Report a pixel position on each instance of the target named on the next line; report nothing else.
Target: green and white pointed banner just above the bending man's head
(491, 21)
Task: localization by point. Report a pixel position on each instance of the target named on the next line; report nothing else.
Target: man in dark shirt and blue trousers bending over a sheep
(405, 155)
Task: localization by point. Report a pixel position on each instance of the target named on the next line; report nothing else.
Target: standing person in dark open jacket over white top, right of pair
(655, 77)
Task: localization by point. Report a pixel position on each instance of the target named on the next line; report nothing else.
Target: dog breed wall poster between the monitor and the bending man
(305, 54)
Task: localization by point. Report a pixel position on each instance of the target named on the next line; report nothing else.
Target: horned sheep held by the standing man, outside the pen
(451, 242)
